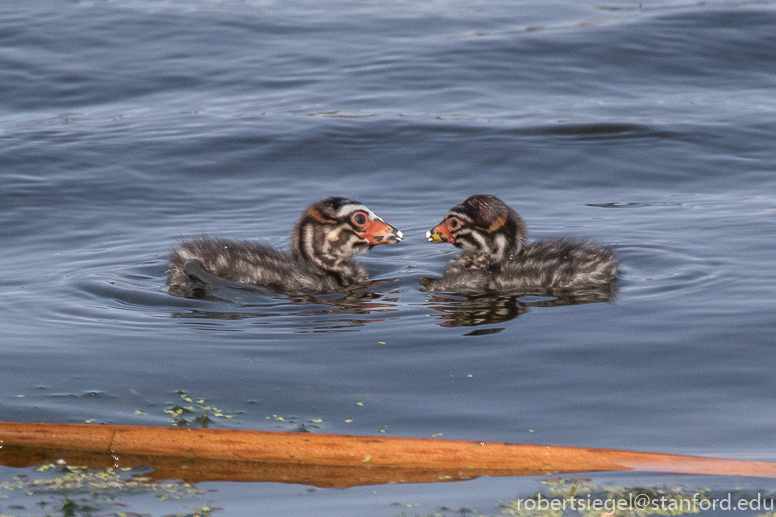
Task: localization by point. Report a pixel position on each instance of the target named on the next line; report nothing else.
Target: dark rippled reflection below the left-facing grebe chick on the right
(483, 309)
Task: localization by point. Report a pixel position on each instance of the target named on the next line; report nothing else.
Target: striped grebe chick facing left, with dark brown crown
(496, 257)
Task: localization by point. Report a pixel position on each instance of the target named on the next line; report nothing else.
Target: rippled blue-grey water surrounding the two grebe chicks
(127, 125)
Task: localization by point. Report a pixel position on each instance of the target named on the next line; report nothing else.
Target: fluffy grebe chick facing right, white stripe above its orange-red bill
(324, 241)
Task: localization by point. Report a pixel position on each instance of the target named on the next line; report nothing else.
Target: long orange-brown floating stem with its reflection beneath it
(326, 460)
